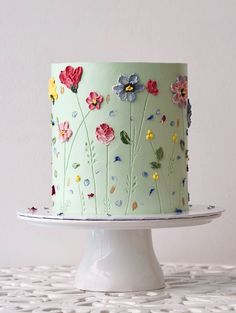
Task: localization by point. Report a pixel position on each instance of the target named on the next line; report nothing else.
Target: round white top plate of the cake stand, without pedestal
(198, 214)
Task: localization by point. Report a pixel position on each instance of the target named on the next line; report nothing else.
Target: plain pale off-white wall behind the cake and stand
(34, 34)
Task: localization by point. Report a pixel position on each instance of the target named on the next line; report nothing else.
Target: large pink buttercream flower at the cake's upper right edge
(180, 91)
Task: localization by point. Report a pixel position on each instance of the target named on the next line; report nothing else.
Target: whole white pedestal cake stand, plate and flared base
(119, 255)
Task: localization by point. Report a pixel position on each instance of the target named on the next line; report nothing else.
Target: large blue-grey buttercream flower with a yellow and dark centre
(127, 87)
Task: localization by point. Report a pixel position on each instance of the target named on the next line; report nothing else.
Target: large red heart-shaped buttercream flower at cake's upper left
(71, 77)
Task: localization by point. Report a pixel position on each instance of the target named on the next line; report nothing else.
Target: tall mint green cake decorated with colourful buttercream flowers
(119, 138)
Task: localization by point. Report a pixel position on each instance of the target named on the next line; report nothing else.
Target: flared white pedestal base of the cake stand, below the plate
(119, 260)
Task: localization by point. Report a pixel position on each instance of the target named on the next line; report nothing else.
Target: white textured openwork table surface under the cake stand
(189, 289)
